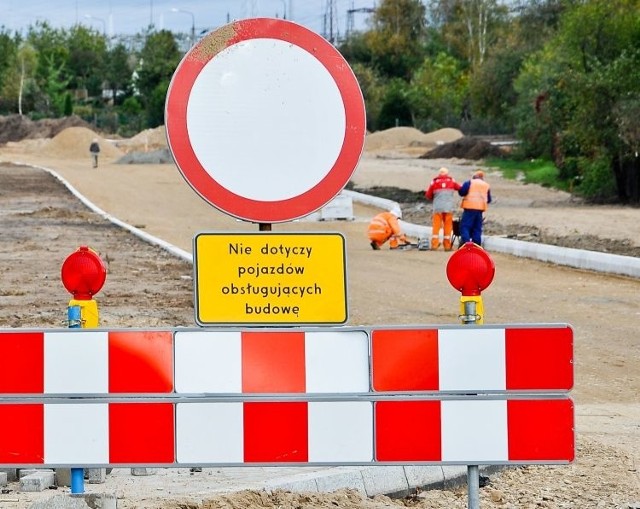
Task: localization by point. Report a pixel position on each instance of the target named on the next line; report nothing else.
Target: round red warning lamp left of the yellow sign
(83, 273)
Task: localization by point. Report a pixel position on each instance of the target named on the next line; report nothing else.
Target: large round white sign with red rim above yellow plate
(265, 120)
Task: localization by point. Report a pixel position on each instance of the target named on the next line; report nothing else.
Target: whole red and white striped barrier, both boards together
(235, 397)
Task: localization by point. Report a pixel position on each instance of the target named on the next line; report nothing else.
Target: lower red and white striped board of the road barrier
(287, 432)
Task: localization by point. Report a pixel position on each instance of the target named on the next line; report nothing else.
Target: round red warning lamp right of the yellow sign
(470, 269)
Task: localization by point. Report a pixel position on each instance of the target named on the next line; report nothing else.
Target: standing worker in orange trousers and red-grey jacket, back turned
(442, 191)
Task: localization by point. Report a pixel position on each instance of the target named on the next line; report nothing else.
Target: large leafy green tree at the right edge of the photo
(574, 98)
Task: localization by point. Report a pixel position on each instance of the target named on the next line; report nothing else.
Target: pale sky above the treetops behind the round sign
(128, 17)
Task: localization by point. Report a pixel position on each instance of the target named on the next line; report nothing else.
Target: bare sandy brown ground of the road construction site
(41, 223)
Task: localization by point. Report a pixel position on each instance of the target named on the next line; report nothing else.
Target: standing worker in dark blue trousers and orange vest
(476, 195)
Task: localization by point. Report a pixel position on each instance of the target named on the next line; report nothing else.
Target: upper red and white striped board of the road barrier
(93, 361)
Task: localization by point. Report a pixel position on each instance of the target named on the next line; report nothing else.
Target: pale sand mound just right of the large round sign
(403, 137)
